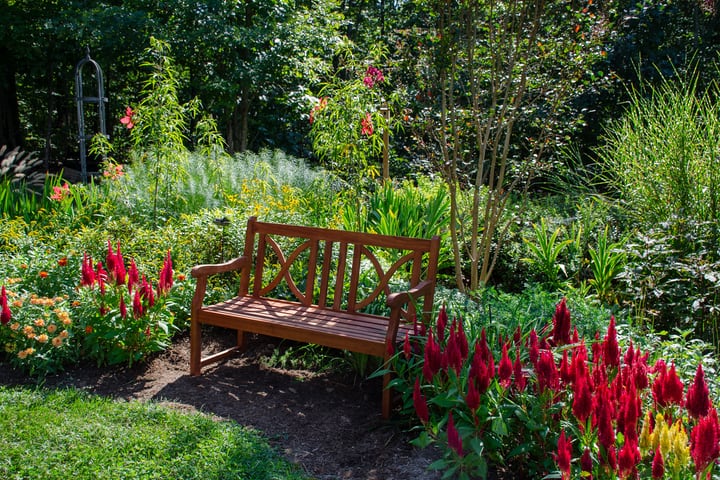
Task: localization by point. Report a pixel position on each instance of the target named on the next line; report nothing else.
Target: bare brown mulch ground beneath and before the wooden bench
(329, 424)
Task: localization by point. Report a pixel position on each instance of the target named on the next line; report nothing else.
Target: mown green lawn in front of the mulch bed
(60, 434)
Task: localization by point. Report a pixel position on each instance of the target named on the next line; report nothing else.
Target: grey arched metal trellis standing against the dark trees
(99, 100)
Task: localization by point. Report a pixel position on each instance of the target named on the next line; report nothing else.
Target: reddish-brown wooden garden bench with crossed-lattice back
(313, 284)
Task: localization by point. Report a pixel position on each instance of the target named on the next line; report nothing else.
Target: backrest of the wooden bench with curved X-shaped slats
(332, 269)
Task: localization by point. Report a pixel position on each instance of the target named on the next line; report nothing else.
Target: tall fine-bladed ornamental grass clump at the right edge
(661, 157)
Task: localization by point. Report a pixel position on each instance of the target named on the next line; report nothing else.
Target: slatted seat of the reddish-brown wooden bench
(362, 333)
